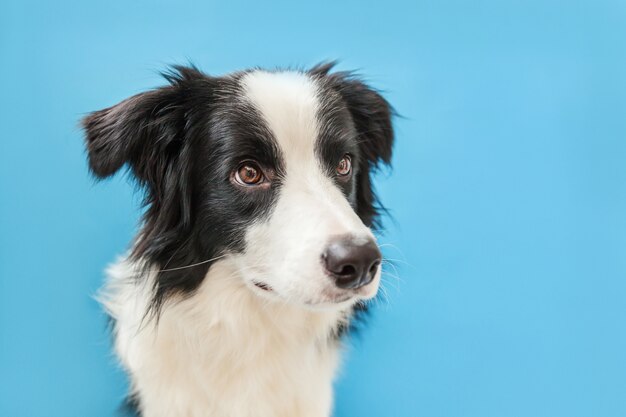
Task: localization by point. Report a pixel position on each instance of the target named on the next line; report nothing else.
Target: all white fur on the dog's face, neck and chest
(232, 349)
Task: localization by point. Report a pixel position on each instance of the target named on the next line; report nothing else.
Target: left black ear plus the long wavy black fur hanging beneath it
(156, 134)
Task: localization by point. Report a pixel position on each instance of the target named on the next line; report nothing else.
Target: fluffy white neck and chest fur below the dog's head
(224, 351)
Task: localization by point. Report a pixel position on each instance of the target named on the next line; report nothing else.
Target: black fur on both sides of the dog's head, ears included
(181, 143)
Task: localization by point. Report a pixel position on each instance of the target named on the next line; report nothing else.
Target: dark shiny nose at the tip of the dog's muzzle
(350, 262)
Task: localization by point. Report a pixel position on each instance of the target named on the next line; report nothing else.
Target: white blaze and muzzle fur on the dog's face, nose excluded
(285, 250)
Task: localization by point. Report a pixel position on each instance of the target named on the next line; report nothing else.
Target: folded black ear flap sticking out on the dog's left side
(145, 131)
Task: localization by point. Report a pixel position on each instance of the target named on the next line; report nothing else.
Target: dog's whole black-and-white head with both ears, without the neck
(269, 169)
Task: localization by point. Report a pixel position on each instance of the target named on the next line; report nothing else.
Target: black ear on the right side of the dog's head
(371, 115)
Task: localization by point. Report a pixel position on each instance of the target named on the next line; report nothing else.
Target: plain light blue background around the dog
(508, 193)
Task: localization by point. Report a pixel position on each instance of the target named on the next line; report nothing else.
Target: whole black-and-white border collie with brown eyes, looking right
(255, 249)
